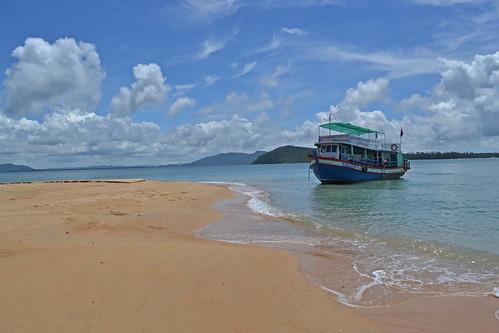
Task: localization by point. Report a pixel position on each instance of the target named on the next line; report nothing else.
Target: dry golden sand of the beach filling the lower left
(121, 257)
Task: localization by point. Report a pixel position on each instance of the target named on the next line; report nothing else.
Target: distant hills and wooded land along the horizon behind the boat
(285, 154)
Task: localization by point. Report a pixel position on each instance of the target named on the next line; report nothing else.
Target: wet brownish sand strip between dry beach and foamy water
(332, 268)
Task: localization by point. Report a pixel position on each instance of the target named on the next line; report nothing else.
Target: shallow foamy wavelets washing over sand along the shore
(362, 270)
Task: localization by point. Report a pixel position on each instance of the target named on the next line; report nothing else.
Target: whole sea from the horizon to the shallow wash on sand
(434, 232)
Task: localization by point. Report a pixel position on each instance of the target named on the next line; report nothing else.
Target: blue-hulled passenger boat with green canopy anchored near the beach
(356, 154)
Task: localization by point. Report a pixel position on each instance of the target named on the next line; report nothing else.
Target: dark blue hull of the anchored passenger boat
(327, 174)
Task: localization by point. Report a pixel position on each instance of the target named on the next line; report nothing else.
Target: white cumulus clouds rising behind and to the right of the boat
(461, 112)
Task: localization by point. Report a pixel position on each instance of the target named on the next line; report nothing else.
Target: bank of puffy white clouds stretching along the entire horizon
(460, 112)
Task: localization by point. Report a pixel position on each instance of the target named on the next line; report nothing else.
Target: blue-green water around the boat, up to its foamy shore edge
(435, 229)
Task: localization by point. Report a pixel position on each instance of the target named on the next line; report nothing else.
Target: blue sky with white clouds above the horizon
(156, 82)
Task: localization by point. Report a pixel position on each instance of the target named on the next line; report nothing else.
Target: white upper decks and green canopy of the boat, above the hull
(358, 145)
